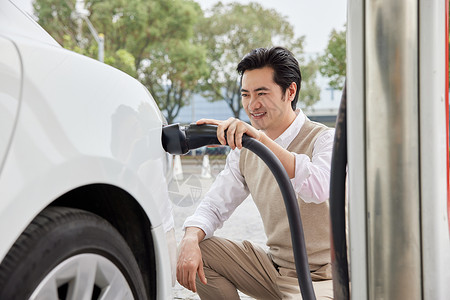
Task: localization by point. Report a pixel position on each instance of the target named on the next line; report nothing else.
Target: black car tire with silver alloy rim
(68, 253)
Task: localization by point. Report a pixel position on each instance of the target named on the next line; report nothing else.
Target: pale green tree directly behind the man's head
(229, 33)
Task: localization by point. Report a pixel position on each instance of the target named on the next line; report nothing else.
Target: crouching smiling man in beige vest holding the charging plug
(270, 83)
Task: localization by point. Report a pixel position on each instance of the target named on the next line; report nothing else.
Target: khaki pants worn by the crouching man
(241, 265)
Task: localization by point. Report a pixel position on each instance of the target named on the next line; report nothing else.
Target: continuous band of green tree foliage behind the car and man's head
(172, 49)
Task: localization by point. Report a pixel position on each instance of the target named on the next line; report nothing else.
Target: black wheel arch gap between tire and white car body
(123, 212)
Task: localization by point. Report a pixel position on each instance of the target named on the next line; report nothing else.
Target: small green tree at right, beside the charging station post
(332, 63)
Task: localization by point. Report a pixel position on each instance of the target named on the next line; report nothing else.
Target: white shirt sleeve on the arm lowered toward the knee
(226, 193)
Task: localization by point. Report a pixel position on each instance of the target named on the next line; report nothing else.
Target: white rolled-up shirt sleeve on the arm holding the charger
(312, 176)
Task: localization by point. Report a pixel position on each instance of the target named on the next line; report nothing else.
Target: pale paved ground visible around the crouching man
(244, 224)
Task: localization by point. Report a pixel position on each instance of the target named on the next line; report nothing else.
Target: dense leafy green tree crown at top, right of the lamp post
(140, 26)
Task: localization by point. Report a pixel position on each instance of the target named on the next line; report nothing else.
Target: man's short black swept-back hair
(281, 60)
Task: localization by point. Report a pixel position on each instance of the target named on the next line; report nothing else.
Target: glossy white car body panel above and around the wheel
(116, 139)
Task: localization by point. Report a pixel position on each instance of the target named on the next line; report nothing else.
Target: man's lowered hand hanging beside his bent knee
(190, 259)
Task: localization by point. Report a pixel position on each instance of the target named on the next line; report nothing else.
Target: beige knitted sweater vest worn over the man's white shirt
(267, 197)
